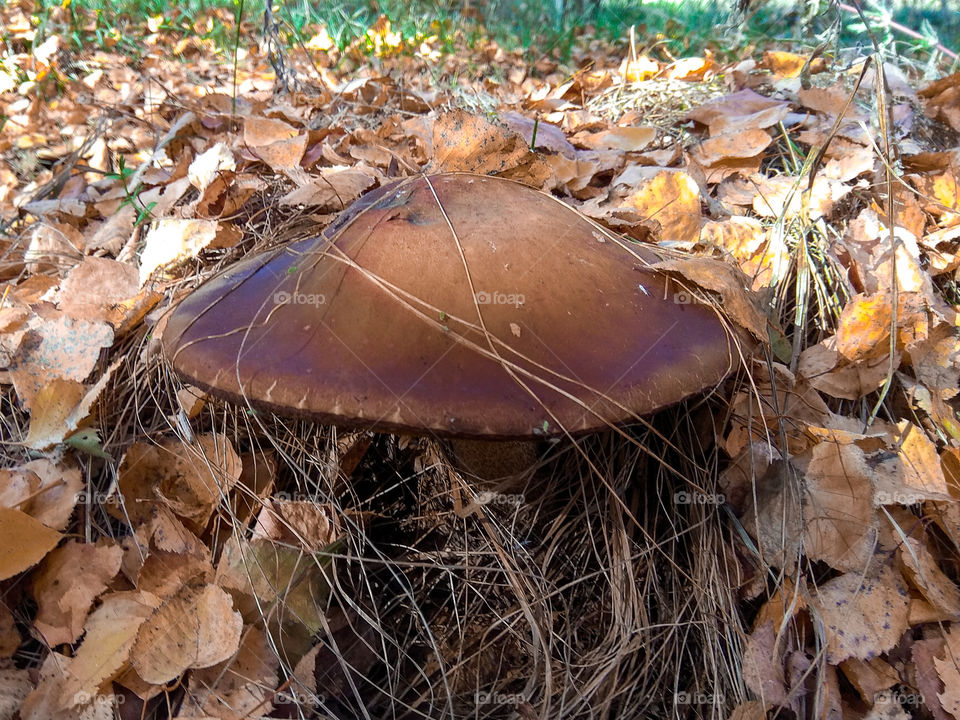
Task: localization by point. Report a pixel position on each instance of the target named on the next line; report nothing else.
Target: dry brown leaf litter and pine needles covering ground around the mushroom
(239, 562)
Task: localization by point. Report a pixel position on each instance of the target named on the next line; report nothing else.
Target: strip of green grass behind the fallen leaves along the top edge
(556, 27)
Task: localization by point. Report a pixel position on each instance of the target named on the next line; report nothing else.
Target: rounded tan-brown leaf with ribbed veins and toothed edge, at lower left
(195, 628)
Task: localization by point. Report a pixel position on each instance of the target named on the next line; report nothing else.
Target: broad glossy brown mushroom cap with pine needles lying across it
(458, 304)
